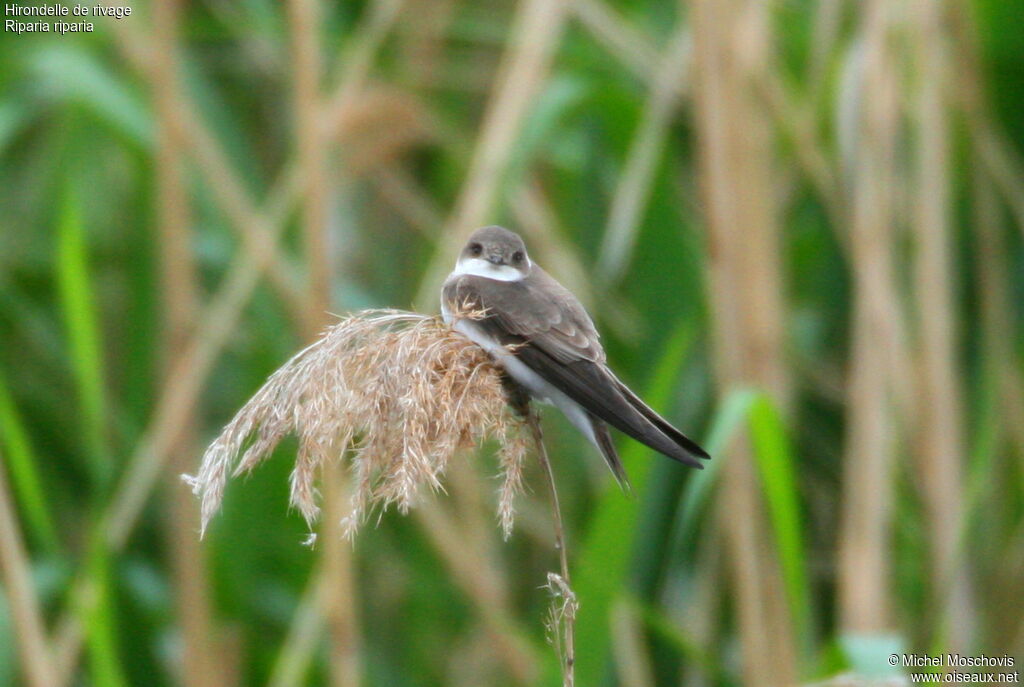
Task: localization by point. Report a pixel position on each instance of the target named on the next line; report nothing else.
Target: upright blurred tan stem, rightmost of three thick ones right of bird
(940, 432)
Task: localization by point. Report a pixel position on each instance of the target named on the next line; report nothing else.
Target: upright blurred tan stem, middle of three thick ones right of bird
(864, 580)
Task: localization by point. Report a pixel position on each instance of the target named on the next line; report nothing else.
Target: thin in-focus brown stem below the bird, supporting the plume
(564, 619)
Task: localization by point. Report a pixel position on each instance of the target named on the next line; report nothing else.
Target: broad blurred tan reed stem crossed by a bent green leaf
(733, 40)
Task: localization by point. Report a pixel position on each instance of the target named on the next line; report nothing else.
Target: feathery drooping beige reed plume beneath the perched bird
(397, 394)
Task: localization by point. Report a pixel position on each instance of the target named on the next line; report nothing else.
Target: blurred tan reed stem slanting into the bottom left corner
(27, 619)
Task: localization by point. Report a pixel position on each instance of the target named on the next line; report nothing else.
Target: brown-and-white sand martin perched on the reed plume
(544, 339)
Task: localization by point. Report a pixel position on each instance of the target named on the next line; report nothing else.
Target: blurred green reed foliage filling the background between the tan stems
(81, 359)
